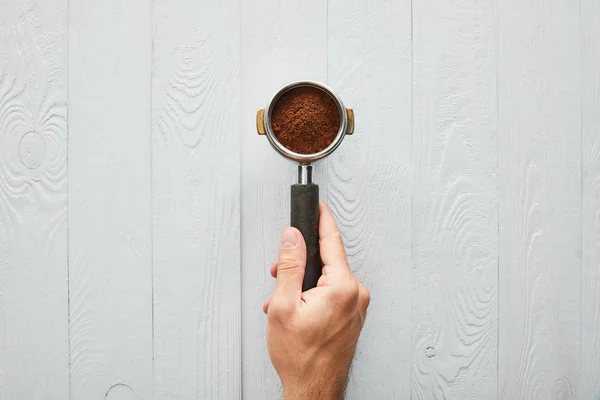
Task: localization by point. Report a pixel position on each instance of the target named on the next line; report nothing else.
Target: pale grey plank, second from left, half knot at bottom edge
(110, 226)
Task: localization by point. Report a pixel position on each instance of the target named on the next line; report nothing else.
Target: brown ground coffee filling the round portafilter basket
(305, 120)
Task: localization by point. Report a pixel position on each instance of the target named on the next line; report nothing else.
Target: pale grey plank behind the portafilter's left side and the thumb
(282, 41)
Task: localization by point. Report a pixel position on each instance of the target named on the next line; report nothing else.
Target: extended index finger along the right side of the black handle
(331, 245)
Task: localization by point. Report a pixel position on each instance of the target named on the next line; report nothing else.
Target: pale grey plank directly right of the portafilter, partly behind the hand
(370, 180)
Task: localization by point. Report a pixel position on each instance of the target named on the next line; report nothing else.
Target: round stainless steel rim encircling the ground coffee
(306, 158)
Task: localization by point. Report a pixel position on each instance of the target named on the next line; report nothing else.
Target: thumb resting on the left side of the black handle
(290, 268)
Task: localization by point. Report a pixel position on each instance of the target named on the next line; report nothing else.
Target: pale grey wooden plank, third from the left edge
(196, 199)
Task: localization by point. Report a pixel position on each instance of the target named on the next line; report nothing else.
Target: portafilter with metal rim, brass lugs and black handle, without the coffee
(305, 194)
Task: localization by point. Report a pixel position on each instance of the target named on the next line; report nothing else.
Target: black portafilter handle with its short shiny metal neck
(305, 217)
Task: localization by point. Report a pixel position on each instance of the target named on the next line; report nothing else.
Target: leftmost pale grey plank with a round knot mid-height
(34, 360)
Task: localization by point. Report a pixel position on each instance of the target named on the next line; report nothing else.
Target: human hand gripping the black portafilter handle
(312, 335)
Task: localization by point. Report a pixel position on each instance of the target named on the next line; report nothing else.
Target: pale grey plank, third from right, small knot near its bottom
(455, 203)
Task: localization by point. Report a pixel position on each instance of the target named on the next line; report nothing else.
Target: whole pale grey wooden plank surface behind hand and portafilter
(134, 264)
